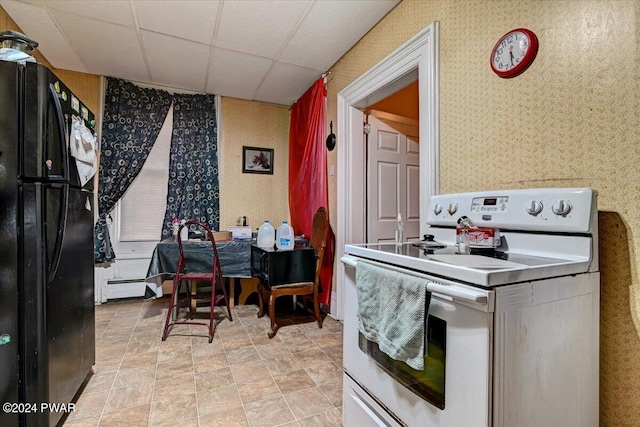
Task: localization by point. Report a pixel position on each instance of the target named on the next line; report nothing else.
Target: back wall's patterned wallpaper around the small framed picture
(256, 196)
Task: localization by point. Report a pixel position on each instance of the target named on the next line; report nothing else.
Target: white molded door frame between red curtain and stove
(419, 54)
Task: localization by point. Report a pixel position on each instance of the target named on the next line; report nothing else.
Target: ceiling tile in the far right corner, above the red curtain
(285, 83)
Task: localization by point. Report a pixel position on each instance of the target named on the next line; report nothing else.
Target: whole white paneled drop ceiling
(260, 50)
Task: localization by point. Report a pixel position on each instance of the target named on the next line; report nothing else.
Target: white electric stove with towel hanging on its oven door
(512, 331)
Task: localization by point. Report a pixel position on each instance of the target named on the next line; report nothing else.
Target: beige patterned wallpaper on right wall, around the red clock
(572, 119)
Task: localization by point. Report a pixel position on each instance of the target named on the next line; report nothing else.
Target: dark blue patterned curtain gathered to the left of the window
(133, 117)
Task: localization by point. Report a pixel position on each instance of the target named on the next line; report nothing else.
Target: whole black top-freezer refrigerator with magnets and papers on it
(47, 325)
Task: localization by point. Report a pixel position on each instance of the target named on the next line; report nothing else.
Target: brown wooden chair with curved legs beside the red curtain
(305, 289)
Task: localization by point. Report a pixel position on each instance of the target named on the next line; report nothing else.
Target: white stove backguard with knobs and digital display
(566, 210)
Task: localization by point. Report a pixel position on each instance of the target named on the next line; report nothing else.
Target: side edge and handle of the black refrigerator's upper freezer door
(46, 150)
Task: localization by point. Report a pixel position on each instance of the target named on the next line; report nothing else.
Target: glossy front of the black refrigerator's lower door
(70, 300)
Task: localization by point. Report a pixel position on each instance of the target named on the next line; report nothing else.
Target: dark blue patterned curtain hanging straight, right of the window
(193, 190)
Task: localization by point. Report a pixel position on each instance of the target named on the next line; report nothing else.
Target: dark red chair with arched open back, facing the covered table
(183, 275)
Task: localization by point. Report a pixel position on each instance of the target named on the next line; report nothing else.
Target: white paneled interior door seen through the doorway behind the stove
(393, 183)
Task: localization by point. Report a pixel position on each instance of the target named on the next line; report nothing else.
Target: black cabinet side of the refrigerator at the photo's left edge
(9, 258)
